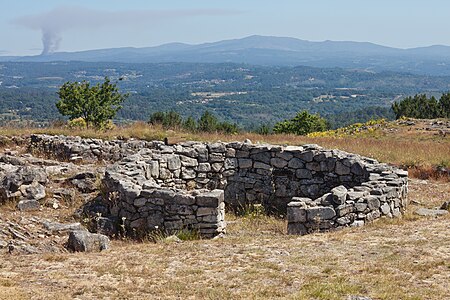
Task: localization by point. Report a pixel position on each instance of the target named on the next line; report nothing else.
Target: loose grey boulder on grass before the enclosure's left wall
(84, 241)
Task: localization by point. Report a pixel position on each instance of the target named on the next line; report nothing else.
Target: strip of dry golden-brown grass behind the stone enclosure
(403, 146)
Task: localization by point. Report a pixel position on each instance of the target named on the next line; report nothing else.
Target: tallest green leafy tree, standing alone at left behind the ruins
(97, 104)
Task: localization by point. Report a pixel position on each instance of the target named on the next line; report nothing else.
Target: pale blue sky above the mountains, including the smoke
(32, 27)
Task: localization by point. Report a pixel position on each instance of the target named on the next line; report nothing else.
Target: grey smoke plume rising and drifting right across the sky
(54, 23)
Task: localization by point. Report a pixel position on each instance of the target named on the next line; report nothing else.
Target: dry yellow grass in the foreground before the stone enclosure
(405, 258)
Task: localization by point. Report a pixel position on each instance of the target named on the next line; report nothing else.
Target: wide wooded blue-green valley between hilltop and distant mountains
(242, 94)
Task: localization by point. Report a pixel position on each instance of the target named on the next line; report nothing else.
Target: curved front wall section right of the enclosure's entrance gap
(383, 195)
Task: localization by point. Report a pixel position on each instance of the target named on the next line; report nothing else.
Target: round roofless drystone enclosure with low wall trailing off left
(151, 185)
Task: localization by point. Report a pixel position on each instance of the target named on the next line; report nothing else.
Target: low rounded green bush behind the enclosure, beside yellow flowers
(302, 124)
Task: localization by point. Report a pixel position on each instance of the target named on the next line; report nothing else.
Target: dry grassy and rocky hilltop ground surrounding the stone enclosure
(403, 258)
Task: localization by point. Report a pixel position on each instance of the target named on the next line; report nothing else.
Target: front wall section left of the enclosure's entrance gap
(145, 206)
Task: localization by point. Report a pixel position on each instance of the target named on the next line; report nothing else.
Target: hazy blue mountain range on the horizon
(273, 51)
